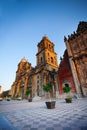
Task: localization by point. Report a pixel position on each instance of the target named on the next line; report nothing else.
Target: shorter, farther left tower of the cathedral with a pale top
(21, 81)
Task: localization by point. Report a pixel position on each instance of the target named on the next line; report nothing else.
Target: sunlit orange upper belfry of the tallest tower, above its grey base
(46, 54)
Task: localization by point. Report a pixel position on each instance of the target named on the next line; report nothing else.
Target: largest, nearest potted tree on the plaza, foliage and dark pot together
(48, 88)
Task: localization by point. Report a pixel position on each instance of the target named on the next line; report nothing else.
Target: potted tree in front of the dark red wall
(66, 90)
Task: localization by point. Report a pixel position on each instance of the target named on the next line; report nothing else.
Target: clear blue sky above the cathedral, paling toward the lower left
(23, 23)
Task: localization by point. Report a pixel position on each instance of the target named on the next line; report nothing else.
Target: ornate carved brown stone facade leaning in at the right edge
(77, 50)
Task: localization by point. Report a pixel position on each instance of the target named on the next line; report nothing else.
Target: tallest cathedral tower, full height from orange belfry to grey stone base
(46, 65)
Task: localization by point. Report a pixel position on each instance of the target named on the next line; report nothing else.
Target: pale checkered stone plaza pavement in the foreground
(24, 115)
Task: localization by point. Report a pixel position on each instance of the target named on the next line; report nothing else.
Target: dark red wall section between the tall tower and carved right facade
(65, 74)
